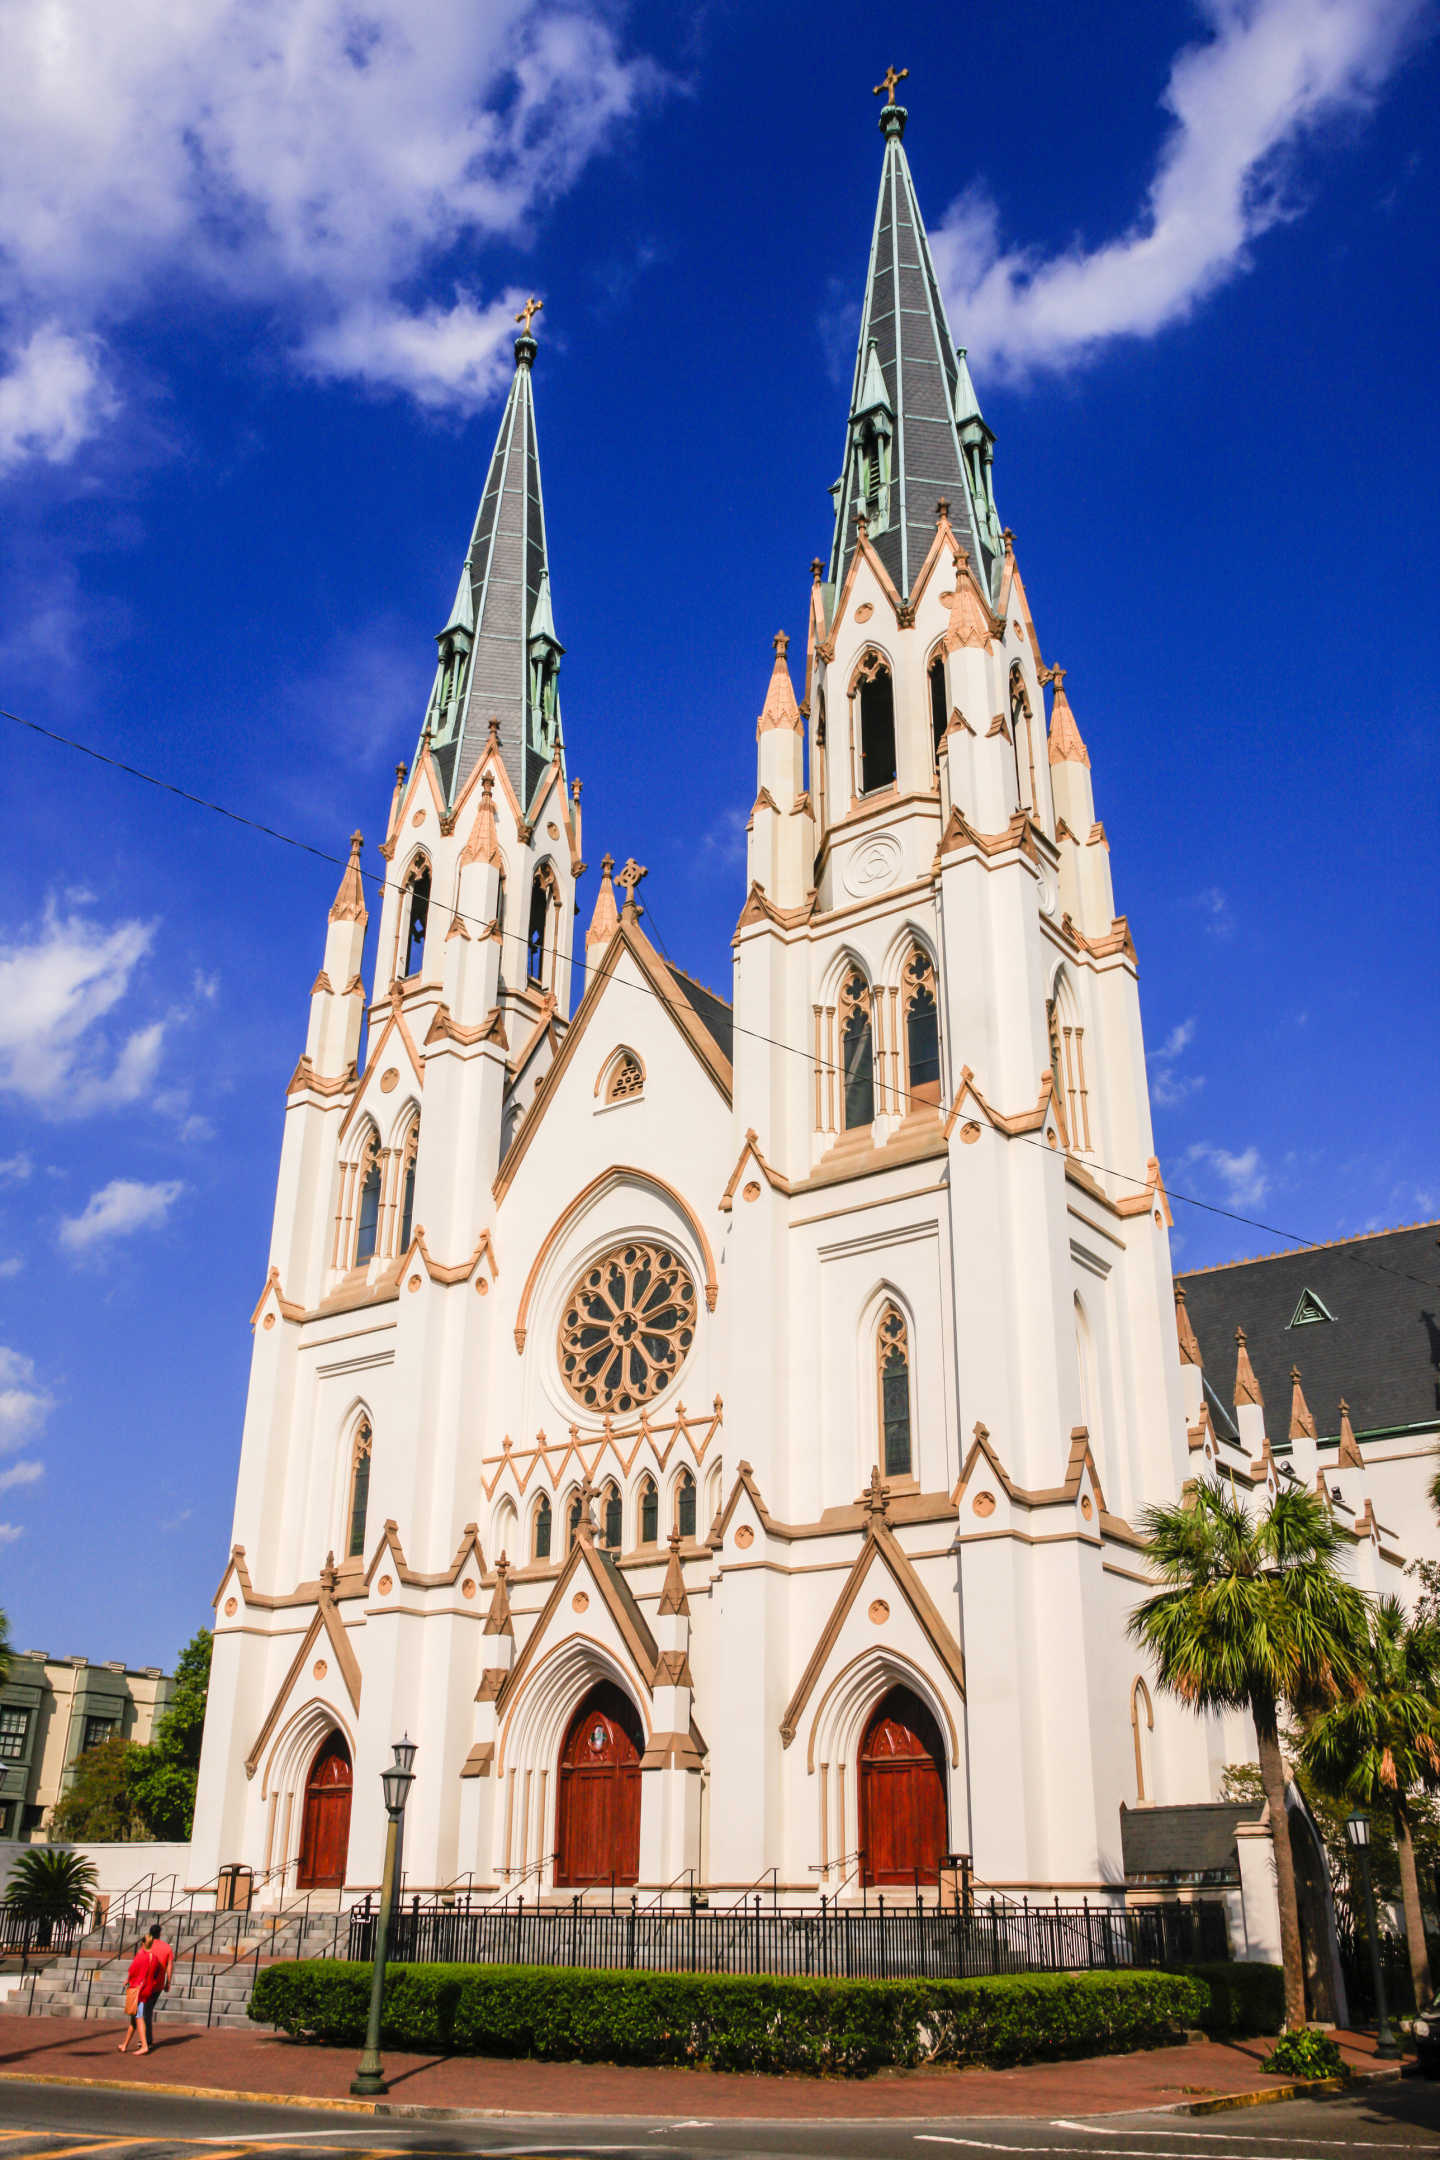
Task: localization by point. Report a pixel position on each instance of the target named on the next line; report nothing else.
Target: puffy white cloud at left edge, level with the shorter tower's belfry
(57, 988)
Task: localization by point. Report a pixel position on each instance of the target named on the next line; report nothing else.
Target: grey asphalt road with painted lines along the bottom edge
(64, 2124)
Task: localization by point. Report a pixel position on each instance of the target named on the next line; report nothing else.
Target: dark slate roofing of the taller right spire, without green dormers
(906, 321)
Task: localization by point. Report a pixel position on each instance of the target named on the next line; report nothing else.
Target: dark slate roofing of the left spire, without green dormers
(506, 567)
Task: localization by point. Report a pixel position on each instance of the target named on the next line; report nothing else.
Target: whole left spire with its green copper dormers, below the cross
(500, 656)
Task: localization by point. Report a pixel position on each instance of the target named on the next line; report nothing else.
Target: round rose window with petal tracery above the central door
(627, 1327)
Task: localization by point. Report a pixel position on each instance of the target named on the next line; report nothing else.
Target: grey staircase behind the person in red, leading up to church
(217, 1958)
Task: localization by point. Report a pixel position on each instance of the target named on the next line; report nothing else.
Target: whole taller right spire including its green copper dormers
(916, 433)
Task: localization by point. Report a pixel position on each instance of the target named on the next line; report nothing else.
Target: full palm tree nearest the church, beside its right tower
(1253, 1615)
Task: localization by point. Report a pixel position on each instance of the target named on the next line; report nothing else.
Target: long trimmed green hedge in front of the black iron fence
(742, 2023)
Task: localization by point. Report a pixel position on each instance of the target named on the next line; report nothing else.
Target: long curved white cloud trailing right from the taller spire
(1240, 105)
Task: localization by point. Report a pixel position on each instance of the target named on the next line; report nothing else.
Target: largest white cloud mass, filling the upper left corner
(303, 157)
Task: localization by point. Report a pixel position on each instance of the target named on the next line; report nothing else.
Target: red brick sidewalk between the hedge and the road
(260, 2066)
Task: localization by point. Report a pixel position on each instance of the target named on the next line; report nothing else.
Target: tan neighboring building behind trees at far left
(51, 1712)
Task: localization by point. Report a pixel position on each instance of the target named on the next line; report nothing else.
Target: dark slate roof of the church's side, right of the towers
(1381, 1349)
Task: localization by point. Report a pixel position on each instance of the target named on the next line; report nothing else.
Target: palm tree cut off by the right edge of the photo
(1383, 1746)
